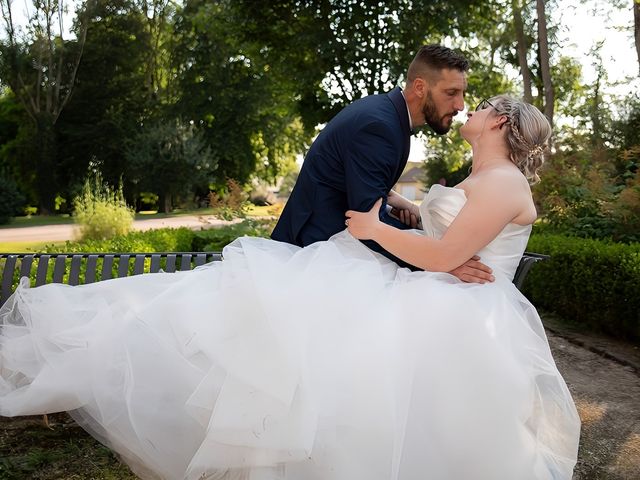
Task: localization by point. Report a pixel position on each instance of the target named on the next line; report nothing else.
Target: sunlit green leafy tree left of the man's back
(226, 84)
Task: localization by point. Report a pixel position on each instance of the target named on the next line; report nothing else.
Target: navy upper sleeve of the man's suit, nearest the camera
(370, 166)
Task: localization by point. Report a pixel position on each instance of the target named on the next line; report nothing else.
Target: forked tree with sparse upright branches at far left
(42, 74)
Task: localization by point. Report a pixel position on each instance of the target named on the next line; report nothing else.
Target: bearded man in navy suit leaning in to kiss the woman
(360, 154)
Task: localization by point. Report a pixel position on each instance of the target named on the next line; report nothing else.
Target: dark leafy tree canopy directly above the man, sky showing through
(340, 51)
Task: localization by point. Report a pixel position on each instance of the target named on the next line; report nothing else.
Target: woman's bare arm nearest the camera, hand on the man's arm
(490, 207)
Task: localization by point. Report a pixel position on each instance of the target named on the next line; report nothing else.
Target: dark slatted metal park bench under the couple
(82, 268)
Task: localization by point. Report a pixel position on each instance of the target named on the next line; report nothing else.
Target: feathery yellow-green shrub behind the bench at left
(101, 211)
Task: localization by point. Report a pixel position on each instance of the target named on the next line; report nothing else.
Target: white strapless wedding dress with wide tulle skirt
(322, 363)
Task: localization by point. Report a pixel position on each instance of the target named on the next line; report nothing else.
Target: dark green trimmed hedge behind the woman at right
(593, 283)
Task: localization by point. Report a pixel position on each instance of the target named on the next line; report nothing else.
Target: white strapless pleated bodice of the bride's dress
(441, 205)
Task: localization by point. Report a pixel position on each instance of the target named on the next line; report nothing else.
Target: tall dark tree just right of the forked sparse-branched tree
(111, 98)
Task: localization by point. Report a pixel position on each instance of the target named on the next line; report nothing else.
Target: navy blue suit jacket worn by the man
(357, 158)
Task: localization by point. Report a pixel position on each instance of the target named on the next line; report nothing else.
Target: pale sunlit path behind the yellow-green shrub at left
(60, 233)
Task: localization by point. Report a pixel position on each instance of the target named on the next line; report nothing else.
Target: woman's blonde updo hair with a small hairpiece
(527, 134)
